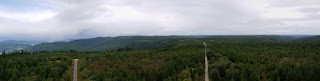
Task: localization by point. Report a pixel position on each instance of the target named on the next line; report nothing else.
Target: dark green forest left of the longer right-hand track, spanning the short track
(183, 62)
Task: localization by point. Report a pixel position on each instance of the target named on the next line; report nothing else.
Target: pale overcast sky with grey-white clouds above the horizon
(68, 19)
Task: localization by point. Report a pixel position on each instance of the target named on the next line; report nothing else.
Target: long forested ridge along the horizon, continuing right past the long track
(145, 42)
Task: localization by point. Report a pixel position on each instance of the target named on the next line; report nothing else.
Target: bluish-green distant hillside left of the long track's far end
(106, 43)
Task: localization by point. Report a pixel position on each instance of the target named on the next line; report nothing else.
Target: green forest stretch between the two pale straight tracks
(147, 65)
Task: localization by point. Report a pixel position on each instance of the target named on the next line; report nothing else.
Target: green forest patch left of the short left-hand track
(35, 67)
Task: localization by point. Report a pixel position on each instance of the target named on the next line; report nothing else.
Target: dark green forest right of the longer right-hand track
(263, 60)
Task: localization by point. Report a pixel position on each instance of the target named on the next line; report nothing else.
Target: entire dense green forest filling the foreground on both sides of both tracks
(231, 58)
